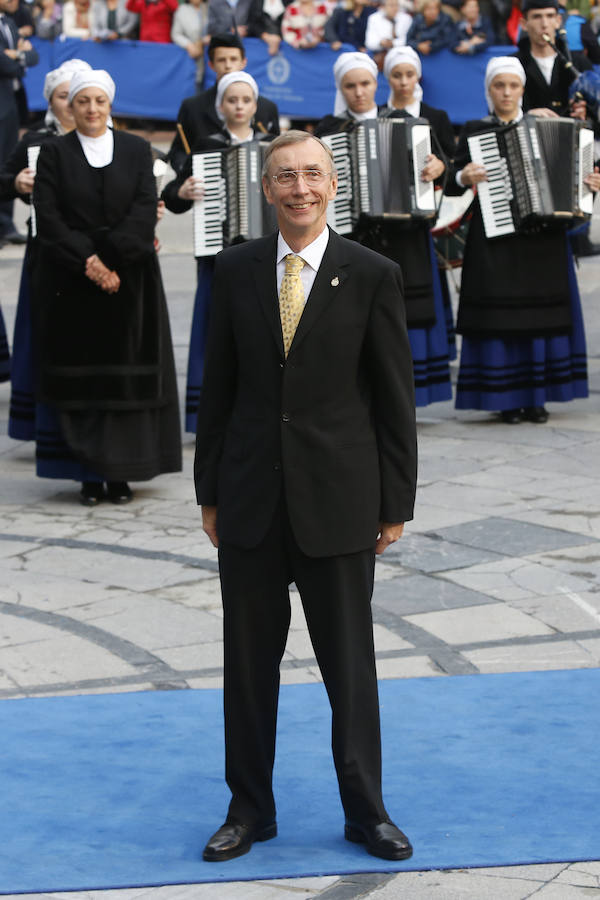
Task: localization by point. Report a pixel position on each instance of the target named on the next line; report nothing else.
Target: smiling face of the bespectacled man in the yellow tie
(301, 209)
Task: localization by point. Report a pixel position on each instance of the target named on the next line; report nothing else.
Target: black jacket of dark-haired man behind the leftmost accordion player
(198, 118)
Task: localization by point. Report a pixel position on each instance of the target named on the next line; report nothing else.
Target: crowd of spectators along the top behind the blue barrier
(464, 26)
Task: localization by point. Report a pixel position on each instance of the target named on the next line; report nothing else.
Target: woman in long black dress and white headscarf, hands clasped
(104, 354)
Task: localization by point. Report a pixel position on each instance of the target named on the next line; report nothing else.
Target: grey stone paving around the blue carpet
(500, 571)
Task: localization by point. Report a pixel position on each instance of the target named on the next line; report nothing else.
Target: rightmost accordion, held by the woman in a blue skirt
(535, 173)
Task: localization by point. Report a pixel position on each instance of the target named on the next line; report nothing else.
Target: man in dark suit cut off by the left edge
(15, 55)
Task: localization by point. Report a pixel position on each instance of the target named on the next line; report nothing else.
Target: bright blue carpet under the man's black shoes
(122, 790)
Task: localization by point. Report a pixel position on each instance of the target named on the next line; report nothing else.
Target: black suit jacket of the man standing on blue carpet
(333, 425)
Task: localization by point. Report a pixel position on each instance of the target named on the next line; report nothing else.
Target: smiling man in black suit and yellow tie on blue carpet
(305, 469)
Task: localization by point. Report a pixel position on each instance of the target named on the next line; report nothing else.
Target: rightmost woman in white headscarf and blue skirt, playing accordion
(519, 311)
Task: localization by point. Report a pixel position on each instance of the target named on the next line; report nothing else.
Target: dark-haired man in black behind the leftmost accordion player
(198, 115)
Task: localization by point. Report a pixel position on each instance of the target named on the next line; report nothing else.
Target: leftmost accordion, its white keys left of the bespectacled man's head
(234, 208)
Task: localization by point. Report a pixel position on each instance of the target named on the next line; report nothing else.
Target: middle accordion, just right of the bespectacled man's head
(379, 167)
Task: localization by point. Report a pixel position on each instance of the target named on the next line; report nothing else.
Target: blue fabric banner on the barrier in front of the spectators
(153, 79)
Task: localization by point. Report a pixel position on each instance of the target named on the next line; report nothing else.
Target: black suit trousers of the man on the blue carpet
(336, 597)
